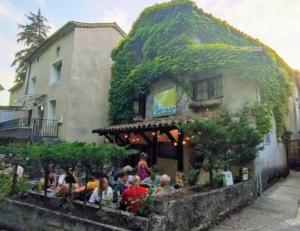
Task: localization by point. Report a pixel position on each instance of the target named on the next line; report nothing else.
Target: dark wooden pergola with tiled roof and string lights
(150, 133)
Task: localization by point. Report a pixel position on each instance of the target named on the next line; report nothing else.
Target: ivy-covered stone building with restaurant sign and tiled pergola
(187, 71)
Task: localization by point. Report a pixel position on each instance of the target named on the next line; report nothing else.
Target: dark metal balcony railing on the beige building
(36, 127)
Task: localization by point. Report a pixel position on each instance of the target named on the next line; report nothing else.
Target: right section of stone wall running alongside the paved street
(203, 209)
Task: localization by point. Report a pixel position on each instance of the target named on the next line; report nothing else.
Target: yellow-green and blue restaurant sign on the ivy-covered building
(165, 103)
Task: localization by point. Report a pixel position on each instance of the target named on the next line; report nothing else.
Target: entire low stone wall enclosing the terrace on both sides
(197, 211)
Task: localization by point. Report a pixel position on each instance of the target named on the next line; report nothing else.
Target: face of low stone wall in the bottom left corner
(15, 215)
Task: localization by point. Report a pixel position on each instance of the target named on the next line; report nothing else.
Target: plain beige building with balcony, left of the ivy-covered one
(65, 93)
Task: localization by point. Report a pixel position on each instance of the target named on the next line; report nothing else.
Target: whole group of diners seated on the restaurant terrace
(124, 188)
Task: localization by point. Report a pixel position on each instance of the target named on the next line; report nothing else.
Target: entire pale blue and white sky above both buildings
(274, 22)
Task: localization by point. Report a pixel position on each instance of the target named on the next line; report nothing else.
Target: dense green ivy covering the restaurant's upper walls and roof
(177, 39)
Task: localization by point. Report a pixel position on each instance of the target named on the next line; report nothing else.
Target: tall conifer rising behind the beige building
(31, 35)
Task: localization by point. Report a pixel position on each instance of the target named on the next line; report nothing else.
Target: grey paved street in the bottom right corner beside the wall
(275, 210)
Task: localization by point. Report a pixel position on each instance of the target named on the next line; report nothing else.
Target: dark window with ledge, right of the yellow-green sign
(208, 88)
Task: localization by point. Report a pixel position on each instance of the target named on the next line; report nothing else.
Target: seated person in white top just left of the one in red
(107, 193)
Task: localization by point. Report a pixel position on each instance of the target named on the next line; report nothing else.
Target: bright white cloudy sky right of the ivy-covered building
(275, 23)
